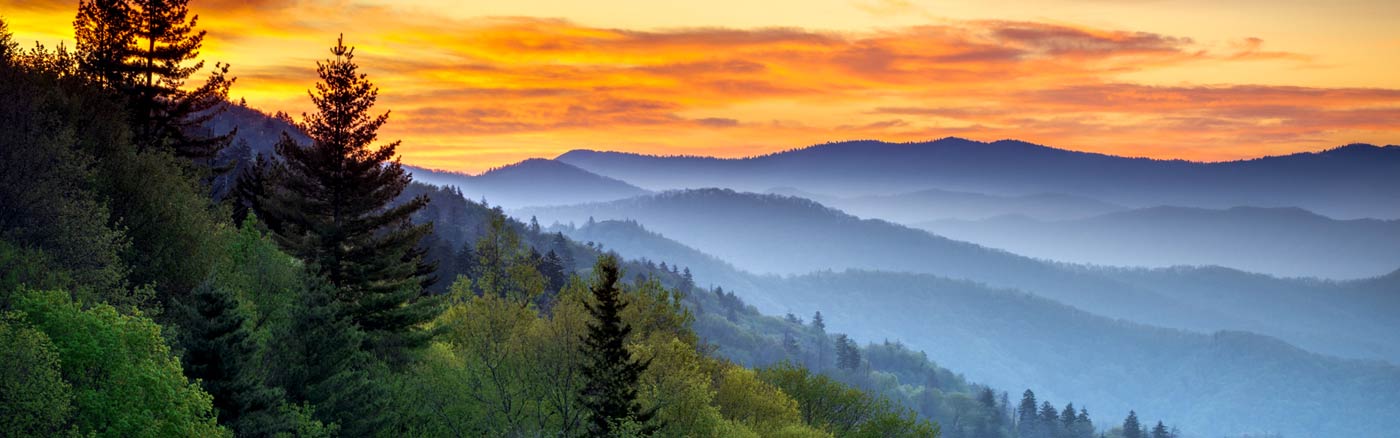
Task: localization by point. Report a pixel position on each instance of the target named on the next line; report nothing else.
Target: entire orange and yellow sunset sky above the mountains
(481, 85)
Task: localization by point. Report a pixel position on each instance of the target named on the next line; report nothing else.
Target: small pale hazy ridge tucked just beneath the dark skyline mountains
(946, 205)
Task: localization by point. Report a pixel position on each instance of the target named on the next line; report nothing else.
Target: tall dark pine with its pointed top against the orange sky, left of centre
(330, 204)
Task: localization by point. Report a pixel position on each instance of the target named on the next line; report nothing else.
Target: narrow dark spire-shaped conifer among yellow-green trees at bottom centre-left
(610, 372)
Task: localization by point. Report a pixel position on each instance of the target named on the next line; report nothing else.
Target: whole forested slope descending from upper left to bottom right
(157, 281)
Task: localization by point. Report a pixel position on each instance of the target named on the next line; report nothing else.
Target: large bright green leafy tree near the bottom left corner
(125, 380)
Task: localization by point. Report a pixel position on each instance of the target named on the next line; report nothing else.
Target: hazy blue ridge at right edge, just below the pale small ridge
(1290, 243)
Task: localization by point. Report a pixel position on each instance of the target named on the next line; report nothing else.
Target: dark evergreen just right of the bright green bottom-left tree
(218, 353)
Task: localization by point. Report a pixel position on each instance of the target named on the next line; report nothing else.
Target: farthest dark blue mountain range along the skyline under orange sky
(1349, 183)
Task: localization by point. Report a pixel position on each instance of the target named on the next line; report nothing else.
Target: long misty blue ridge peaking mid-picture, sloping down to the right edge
(789, 236)
